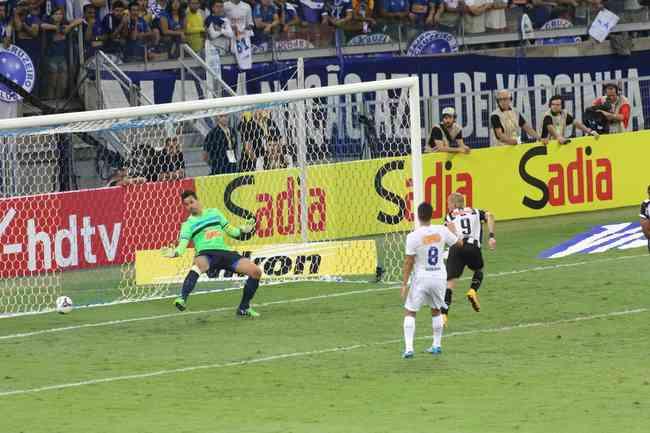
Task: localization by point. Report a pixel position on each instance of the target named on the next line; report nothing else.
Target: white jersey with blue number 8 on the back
(427, 244)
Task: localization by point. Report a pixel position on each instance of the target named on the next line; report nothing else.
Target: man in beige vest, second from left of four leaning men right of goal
(506, 124)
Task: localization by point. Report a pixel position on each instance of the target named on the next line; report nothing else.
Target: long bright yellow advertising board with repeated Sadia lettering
(374, 196)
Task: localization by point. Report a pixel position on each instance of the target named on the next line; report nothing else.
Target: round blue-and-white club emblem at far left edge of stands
(17, 66)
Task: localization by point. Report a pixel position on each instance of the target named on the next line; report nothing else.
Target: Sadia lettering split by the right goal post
(436, 190)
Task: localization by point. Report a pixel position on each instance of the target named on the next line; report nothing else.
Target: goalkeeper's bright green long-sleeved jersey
(206, 231)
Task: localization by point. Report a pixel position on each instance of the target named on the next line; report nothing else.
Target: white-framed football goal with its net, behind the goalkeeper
(326, 173)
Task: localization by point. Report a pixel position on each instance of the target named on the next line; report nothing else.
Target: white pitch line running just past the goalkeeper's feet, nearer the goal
(291, 301)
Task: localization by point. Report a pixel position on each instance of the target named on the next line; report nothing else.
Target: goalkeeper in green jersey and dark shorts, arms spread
(206, 228)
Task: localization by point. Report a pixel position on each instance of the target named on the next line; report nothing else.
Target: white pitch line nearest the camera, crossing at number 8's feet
(310, 353)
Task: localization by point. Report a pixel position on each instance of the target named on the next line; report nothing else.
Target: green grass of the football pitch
(560, 375)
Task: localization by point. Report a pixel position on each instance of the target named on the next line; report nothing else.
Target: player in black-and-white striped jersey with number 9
(468, 223)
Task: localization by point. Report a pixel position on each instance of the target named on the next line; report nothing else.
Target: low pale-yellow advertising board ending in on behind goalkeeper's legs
(277, 261)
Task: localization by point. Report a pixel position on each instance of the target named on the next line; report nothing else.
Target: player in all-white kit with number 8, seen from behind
(424, 251)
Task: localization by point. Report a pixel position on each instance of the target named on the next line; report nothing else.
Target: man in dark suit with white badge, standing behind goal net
(219, 147)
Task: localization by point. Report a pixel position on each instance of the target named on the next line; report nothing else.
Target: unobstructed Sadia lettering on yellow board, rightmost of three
(582, 180)
